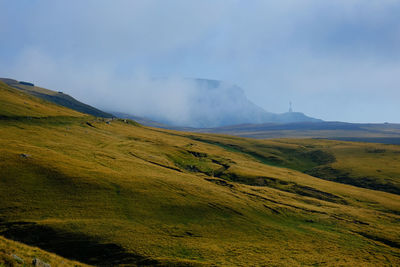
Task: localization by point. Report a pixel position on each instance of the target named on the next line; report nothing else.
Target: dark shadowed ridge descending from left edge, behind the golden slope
(56, 97)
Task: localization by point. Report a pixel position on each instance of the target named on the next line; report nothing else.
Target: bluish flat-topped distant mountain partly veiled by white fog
(199, 103)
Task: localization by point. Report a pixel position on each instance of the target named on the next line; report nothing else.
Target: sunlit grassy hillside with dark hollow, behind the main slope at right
(367, 165)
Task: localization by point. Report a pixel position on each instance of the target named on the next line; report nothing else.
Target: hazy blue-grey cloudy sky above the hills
(335, 60)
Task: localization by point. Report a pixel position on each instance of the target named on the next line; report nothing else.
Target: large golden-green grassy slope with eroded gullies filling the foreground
(109, 192)
